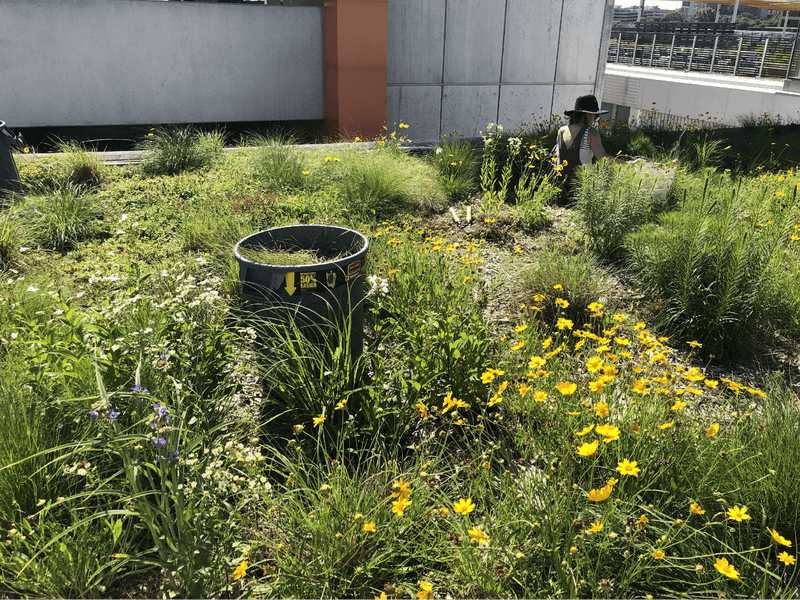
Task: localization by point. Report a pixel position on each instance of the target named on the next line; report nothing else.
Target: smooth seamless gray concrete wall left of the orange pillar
(102, 62)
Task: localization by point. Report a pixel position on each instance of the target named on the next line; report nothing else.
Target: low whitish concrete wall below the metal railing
(694, 96)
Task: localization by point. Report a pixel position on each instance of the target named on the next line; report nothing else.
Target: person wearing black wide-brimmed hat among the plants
(579, 142)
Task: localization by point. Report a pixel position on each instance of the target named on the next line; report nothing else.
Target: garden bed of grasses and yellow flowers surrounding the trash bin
(517, 426)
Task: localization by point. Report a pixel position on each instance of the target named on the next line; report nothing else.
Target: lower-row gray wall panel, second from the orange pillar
(468, 109)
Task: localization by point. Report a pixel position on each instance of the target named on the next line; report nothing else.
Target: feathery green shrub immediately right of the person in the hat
(613, 201)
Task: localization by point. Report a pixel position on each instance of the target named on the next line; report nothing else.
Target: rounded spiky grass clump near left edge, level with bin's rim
(59, 218)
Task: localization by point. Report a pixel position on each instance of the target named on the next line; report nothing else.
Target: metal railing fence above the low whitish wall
(744, 56)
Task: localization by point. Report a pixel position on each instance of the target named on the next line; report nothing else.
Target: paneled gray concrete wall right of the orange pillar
(461, 64)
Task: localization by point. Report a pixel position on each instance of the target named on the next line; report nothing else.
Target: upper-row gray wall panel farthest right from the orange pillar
(580, 41)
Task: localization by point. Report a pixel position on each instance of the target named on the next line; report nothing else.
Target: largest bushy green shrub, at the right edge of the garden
(717, 264)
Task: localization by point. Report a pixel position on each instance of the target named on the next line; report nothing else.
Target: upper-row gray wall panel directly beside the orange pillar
(416, 41)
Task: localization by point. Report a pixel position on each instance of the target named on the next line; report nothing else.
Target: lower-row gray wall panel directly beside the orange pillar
(417, 106)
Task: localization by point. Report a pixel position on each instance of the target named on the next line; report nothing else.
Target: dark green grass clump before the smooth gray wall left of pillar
(172, 150)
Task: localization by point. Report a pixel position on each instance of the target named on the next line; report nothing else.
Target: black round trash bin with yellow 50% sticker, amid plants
(316, 296)
